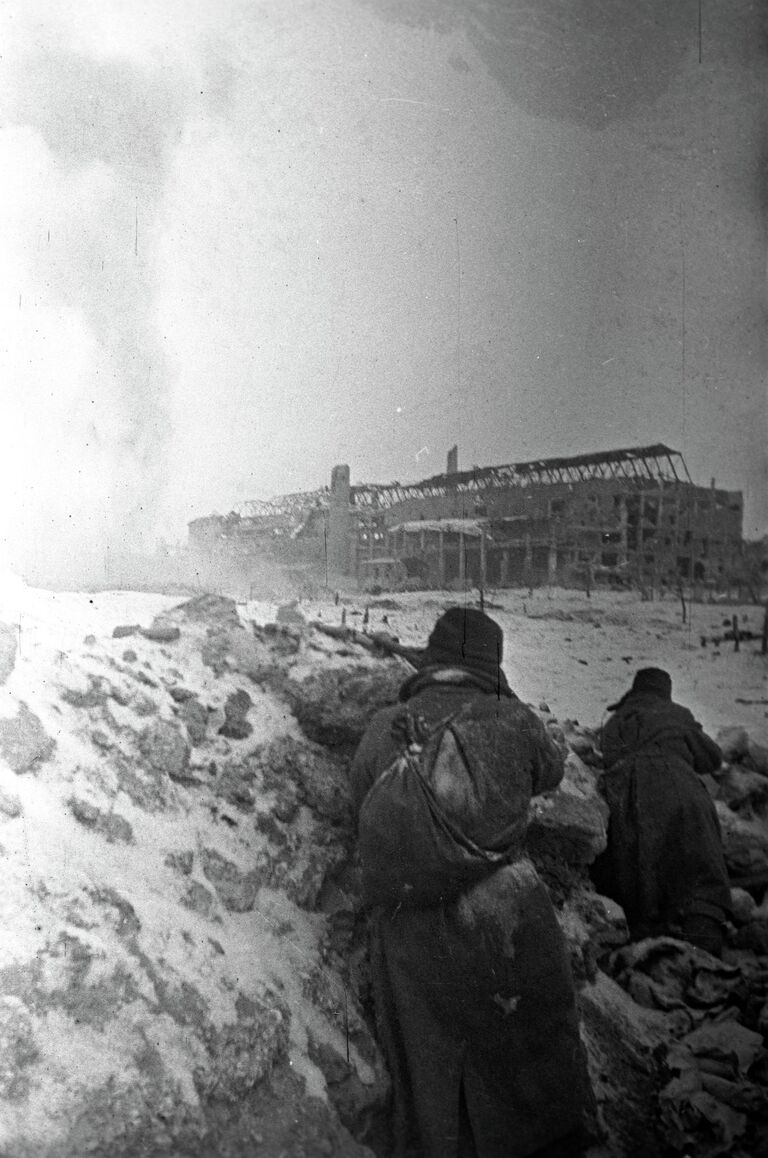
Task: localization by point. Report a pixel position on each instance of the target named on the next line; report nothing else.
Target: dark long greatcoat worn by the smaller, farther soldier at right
(664, 859)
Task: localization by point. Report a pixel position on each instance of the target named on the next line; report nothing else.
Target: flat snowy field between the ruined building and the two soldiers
(580, 655)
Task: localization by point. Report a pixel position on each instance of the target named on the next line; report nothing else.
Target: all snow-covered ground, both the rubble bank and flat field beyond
(112, 848)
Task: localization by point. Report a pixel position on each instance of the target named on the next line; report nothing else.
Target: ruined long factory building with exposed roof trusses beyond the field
(630, 517)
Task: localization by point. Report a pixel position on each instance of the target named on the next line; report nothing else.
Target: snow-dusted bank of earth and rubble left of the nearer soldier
(119, 870)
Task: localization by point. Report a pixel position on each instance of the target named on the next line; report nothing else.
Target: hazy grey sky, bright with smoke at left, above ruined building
(244, 241)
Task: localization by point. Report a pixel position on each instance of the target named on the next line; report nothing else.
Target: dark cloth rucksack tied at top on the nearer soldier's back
(436, 822)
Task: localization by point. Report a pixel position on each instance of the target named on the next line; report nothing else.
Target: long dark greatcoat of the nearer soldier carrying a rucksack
(476, 999)
